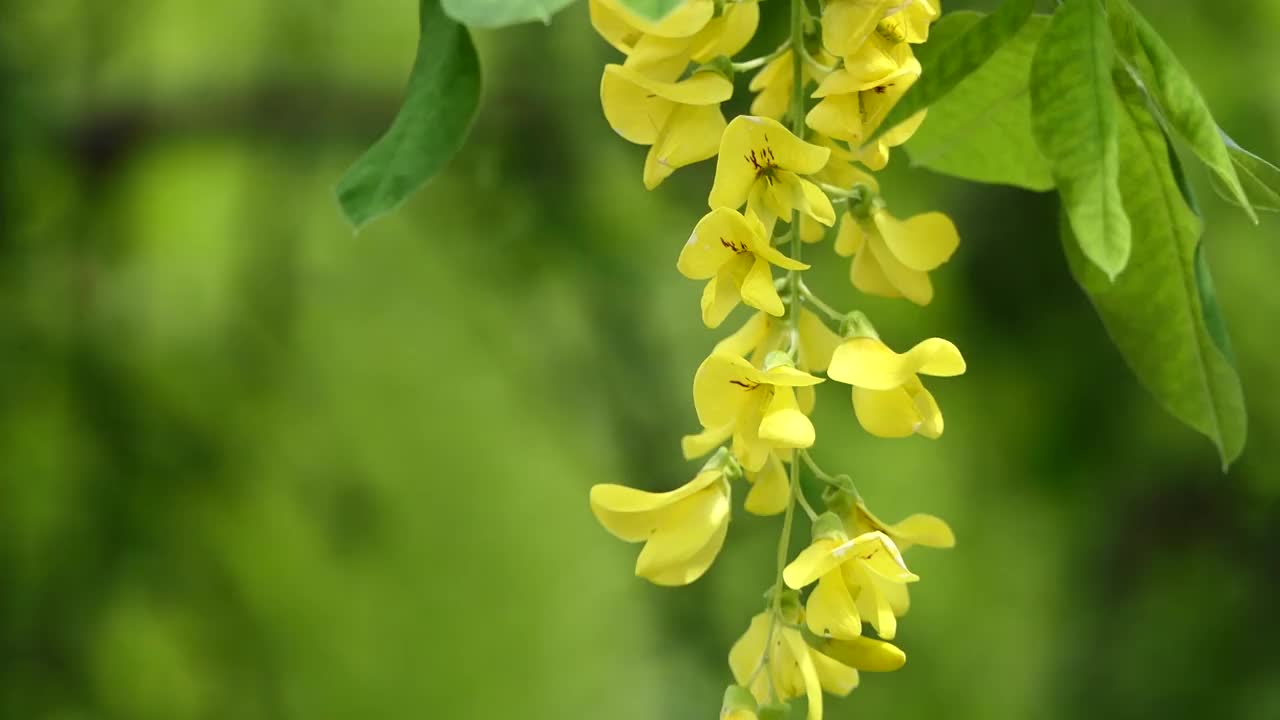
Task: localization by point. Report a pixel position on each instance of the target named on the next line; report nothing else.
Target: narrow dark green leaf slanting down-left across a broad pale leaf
(958, 60)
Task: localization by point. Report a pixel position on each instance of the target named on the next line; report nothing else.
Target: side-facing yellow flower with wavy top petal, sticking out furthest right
(889, 398)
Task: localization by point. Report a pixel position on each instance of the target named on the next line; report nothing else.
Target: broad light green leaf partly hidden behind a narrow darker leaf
(982, 130)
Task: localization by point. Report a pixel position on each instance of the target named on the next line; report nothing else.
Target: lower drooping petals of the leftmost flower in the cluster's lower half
(674, 554)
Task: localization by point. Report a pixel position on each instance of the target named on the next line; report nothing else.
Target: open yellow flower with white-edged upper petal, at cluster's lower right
(865, 577)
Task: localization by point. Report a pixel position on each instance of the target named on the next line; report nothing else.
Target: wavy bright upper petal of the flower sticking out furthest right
(867, 362)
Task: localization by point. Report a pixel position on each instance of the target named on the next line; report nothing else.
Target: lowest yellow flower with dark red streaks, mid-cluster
(760, 405)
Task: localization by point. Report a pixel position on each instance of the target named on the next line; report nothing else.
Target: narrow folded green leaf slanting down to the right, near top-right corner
(1181, 102)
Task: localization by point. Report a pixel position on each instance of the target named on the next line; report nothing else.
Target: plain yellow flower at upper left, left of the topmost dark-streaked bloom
(682, 121)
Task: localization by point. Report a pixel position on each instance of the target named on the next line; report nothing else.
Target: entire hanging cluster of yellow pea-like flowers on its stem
(779, 186)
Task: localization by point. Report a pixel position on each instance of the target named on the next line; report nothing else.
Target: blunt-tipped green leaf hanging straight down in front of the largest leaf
(1075, 124)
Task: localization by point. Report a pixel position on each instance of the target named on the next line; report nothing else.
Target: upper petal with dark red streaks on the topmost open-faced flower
(753, 144)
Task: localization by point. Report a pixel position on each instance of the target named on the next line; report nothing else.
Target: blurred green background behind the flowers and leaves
(253, 467)
